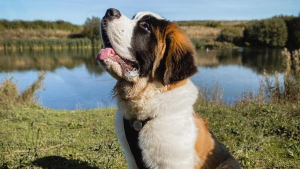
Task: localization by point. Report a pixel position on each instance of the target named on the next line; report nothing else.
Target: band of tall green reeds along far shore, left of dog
(41, 44)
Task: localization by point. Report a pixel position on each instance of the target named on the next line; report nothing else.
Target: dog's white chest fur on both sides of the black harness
(168, 140)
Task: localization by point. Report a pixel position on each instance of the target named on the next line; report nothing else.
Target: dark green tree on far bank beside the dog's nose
(91, 28)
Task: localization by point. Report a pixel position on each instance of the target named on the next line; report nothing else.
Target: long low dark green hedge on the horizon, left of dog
(38, 24)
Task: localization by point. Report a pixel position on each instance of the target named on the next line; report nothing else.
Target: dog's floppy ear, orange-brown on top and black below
(179, 55)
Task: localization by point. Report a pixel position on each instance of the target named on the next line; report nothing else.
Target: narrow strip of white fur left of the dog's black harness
(119, 129)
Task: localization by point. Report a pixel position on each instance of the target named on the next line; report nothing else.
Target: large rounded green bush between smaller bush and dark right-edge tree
(269, 32)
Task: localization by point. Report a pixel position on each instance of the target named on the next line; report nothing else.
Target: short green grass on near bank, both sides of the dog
(259, 136)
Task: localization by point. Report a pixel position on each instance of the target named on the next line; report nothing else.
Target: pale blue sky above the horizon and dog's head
(76, 11)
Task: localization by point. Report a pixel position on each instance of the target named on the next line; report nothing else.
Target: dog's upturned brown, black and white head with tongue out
(146, 46)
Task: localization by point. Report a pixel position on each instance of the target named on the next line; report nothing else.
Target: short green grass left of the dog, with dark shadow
(35, 137)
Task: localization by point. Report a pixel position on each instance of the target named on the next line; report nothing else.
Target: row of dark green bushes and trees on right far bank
(277, 31)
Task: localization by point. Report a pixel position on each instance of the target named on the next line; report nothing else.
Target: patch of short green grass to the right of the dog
(258, 135)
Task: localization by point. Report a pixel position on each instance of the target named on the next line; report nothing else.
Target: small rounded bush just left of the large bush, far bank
(231, 35)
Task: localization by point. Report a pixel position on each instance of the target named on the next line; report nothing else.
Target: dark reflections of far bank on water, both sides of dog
(256, 59)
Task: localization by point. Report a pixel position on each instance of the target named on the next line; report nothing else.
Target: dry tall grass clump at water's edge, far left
(10, 96)
